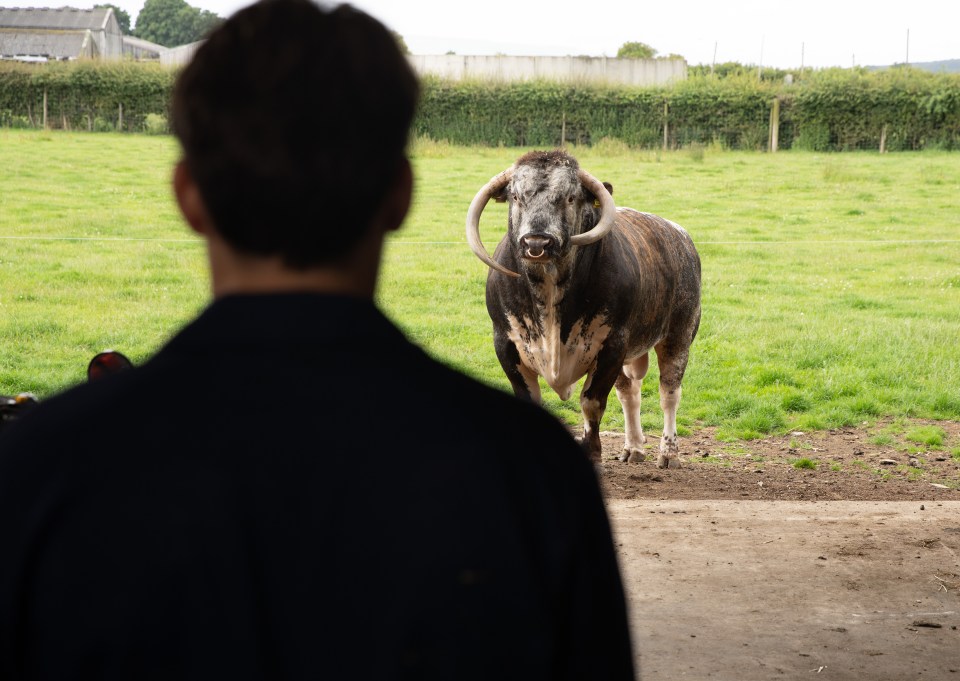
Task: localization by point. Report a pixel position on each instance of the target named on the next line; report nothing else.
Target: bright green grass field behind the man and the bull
(831, 283)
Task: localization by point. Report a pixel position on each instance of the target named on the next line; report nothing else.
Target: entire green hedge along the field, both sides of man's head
(825, 110)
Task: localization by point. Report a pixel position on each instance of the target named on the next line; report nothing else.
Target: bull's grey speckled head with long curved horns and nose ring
(552, 208)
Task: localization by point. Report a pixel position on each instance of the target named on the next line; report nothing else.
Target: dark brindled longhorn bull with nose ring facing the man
(579, 287)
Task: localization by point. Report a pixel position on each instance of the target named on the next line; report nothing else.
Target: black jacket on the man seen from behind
(291, 490)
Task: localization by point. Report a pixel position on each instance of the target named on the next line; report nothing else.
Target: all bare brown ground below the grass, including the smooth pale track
(742, 566)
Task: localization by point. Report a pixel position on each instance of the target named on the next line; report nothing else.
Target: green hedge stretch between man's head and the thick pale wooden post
(547, 114)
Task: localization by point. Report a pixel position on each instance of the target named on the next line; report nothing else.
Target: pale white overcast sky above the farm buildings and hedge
(817, 33)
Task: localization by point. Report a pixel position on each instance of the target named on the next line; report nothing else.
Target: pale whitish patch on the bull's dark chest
(561, 364)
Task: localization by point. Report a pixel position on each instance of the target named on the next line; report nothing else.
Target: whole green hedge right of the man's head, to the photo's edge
(827, 110)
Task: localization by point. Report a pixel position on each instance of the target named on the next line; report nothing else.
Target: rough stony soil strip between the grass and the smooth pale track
(840, 464)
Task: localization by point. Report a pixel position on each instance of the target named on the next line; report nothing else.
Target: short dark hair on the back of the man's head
(293, 121)
